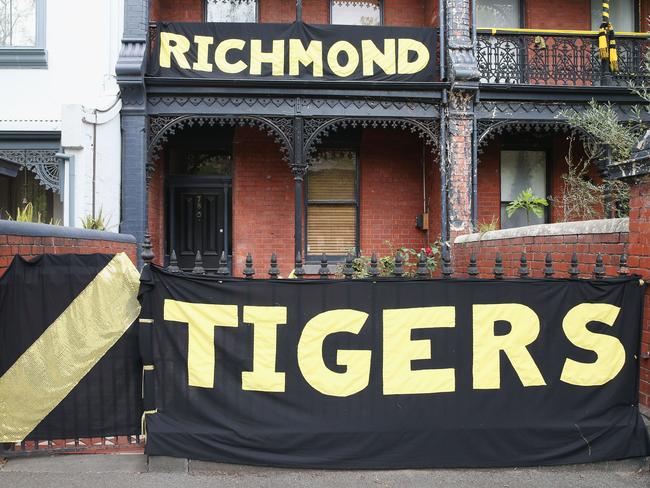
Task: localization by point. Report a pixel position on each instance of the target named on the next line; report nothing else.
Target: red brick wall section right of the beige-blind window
(391, 191)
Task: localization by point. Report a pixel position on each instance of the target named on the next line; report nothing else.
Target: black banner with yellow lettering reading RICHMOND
(294, 51)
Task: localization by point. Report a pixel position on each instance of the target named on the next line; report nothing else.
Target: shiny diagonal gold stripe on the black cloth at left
(68, 349)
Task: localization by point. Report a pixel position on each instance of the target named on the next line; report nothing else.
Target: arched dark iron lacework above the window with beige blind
(315, 129)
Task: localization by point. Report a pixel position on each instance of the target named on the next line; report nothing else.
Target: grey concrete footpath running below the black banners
(134, 470)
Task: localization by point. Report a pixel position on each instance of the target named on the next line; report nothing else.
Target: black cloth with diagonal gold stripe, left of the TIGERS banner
(69, 359)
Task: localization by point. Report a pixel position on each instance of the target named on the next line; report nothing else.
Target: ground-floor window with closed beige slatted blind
(332, 203)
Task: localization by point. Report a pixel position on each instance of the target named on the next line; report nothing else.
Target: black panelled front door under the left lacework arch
(199, 223)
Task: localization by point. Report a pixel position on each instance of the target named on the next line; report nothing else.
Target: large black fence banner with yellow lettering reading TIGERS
(392, 373)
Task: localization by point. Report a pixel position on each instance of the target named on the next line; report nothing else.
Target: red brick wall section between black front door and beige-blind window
(263, 203)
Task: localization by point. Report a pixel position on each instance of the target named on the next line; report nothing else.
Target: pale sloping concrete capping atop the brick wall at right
(601, 226)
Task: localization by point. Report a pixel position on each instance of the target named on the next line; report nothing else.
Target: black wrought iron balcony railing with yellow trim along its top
(571, 58)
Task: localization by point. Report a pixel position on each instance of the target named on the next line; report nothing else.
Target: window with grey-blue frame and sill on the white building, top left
(22, 34)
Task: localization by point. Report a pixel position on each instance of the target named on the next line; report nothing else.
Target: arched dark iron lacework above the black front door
(161, 127)
